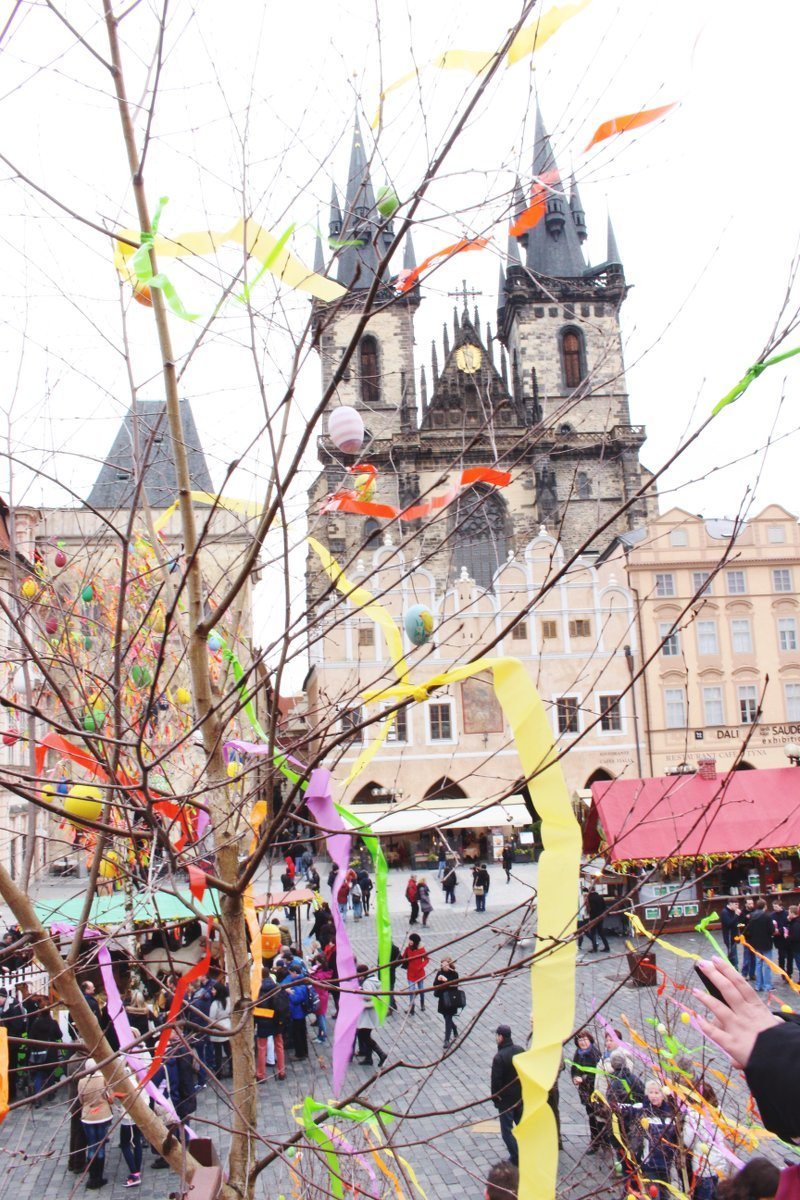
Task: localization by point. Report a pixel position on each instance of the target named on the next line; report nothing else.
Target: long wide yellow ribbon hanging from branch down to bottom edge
(552, 974)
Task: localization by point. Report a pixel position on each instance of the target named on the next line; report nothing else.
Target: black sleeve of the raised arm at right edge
(773, 1075)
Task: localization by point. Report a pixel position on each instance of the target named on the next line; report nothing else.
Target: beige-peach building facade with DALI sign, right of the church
(719, 614)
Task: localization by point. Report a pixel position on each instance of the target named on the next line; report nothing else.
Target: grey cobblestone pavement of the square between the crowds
(448, 1127)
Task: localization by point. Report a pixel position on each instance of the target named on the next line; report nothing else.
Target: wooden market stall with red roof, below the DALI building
(683, 845)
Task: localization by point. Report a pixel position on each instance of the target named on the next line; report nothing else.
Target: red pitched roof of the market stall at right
(689, 817)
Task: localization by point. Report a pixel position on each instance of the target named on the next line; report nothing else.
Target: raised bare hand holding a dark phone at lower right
(741, 1019)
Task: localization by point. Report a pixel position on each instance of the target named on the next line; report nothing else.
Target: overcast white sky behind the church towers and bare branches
(705, 206)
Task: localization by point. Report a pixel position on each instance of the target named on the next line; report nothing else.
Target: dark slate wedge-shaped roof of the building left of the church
(115, 487)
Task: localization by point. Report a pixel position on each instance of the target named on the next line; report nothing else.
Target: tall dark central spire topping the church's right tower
(554, 245)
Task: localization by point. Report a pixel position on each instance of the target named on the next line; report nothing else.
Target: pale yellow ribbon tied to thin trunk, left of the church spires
(251, 237)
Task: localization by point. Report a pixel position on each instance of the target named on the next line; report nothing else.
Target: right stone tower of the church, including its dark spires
(560, 322)
